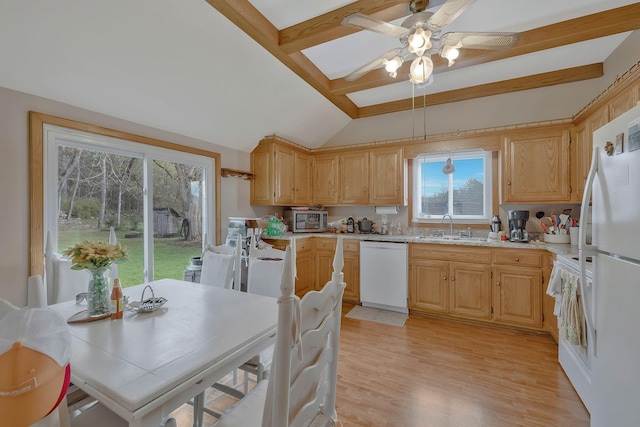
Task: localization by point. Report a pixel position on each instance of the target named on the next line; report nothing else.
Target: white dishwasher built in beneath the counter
(383, 275)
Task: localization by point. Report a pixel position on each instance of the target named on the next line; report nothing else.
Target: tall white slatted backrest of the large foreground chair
(302, 385)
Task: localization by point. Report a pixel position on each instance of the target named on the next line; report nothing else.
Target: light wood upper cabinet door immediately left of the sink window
(386, 176)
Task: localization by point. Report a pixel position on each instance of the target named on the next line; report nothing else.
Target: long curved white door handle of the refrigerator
(587, 250)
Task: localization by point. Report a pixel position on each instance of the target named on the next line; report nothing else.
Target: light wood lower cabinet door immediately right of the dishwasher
(428, 285)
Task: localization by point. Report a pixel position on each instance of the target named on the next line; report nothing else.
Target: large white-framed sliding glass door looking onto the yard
(159, 201)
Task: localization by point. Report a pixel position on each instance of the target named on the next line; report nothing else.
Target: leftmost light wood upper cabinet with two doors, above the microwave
(282, 175)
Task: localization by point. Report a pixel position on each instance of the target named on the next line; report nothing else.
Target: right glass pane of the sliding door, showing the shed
(177, 217)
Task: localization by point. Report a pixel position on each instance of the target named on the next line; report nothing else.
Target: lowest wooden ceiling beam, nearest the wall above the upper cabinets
(568, 75)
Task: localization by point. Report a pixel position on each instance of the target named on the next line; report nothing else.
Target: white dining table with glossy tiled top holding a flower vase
(146, 365)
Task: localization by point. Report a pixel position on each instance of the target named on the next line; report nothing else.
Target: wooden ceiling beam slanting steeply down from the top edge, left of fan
(246, 17)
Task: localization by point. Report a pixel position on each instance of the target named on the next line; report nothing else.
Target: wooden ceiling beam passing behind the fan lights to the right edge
(602, 24)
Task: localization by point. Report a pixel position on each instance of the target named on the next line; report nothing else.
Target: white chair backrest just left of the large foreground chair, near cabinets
(265, 270)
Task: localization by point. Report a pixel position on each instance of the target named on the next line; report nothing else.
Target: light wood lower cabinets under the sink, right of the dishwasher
(501, 286)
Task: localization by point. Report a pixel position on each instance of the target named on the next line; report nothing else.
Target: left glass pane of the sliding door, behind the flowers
(96, 191)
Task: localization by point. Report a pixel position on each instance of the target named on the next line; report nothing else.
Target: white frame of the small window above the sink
(457, 155)
